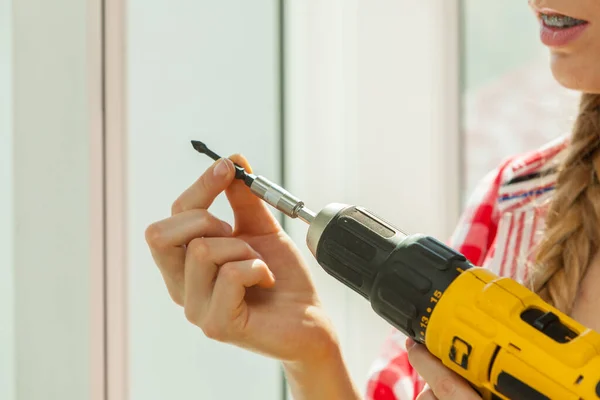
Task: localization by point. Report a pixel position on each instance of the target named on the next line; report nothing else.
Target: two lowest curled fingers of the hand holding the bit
(212, 263)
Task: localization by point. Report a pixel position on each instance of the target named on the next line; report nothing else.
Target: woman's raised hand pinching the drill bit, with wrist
(247, 286)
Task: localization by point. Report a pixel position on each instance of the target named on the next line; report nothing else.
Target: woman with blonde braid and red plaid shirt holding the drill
(249, 286)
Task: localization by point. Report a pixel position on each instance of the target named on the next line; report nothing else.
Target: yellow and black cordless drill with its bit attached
(501, 337)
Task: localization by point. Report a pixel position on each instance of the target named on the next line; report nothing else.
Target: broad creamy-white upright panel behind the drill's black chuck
(372, 111)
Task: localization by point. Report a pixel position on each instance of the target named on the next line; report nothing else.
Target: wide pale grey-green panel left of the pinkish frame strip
(51, 198)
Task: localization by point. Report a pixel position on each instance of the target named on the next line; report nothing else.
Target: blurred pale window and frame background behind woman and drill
(396, 105)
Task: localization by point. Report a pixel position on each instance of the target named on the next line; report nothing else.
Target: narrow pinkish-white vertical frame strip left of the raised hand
(115, 158)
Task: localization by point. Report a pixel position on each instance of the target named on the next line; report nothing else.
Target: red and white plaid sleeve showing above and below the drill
(391, 376)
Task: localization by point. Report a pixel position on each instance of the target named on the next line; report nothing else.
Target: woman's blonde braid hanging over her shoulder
(572, 234)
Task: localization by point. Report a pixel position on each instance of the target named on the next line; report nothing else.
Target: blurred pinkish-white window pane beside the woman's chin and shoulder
(512, 104)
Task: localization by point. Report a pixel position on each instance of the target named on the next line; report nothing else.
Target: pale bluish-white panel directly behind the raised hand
(204, 70)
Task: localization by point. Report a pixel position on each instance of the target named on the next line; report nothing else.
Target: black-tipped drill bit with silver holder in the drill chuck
(271, 193)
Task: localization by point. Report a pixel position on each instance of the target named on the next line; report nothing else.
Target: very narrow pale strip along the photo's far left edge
(7, 365)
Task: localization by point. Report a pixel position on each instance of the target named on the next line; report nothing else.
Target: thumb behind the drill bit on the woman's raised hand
(252, 215)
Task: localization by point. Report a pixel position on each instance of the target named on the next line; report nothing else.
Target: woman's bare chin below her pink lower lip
(575, 74)
